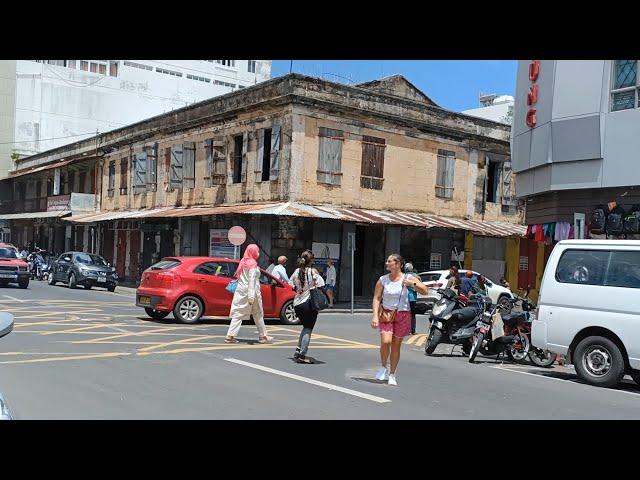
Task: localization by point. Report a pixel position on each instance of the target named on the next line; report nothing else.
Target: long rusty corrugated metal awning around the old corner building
(295, 209)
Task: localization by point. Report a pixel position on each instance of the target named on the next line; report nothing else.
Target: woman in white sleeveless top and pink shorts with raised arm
(391, 294)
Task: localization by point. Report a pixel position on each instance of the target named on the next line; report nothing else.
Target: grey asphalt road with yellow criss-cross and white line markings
(77, 354)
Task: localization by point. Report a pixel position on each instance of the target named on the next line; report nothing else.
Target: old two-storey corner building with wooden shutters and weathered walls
(300, 163)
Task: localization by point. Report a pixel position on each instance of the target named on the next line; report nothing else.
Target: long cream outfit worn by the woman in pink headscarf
(241, 309)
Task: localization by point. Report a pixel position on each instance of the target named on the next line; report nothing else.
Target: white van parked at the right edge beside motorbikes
(589, 308)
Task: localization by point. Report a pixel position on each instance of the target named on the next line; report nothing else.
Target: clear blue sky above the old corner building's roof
(452, 84)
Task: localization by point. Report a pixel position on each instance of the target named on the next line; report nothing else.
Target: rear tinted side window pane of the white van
(584, 267)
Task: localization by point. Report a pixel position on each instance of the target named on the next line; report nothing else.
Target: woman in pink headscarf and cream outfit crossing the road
(247, 301)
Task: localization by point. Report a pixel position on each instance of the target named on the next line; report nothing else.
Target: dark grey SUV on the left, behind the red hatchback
(86, 269)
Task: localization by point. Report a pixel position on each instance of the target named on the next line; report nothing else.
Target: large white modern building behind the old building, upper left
(48, 103)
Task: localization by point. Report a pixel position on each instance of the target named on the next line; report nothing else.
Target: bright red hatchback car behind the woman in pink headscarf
(192, 287)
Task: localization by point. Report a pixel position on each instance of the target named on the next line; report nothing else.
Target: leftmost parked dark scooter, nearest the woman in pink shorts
(452, 321)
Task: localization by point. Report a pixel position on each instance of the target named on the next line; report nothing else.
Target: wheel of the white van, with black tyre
(598, 361)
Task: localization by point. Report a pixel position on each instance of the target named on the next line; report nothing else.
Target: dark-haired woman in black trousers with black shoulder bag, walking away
(304, 279)
